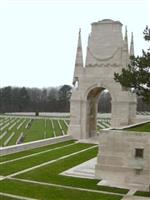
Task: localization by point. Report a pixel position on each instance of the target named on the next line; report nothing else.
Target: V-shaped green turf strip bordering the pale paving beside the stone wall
(50, 173)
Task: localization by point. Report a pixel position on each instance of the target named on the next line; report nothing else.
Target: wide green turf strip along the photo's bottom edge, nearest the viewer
(50, 192)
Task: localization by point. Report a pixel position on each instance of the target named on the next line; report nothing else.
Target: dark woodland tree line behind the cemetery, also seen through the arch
(53, 99)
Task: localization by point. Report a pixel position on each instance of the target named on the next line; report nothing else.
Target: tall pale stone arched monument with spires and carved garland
(107, 53)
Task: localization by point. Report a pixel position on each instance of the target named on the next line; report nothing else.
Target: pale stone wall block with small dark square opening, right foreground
(124, 159)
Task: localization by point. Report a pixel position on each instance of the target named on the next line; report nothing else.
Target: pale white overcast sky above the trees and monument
(38, 38)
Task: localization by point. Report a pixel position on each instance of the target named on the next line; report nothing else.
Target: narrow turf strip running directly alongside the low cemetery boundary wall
(36, 150)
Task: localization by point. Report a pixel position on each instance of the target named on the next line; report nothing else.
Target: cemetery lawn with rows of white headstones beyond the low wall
(33, 129)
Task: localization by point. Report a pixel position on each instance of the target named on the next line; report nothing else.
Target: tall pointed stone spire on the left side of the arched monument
(79, 60)
